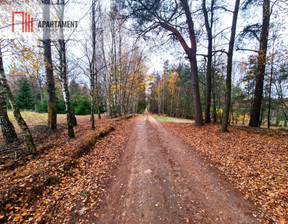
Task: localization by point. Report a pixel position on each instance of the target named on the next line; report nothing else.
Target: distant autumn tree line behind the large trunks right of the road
(171, 94)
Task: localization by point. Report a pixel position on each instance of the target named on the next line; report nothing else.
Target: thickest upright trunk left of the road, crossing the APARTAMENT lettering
(51, 95)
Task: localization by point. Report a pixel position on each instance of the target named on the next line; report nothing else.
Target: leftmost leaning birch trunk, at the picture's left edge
(8, 130)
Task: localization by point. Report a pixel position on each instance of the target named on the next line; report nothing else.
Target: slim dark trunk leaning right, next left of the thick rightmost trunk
(225, 120)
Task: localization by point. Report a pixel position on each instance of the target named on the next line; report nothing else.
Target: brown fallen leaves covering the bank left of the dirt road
(61, 181)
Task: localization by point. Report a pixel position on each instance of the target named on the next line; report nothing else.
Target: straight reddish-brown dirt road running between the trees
(161, 180)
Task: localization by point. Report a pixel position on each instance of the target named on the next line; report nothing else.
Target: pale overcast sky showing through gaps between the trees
(80, 11)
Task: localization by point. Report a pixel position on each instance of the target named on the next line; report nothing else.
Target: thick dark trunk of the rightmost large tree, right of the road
(258, 94)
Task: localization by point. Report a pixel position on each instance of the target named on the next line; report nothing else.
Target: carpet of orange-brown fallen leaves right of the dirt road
(255, 161)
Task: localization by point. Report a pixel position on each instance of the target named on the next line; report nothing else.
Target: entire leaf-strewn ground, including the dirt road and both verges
(142, 170)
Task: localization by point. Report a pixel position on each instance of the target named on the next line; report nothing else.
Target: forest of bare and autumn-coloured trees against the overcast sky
(106, 69)
